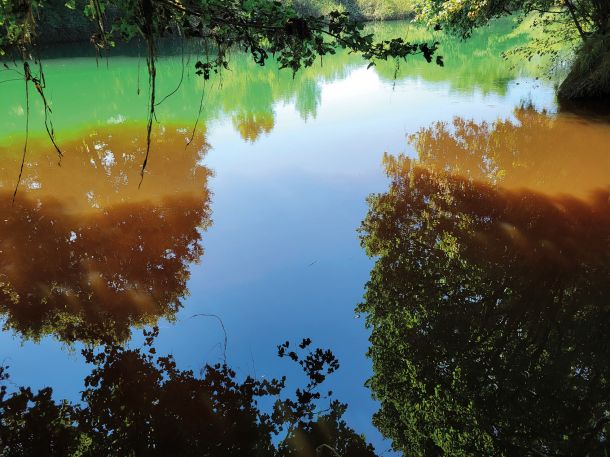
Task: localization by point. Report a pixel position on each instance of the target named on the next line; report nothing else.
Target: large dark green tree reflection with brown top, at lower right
(489, 312)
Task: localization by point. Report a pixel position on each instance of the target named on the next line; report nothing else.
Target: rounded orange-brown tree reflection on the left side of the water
(85, 254)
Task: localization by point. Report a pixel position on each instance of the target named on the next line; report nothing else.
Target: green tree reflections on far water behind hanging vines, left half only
(248, 90)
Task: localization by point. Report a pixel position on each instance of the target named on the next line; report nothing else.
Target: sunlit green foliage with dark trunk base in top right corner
(582, 25)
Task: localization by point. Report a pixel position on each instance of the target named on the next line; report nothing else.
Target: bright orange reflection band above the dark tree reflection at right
(554, 154)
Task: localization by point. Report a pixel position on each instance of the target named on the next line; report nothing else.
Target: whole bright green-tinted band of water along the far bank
(86, 93)
